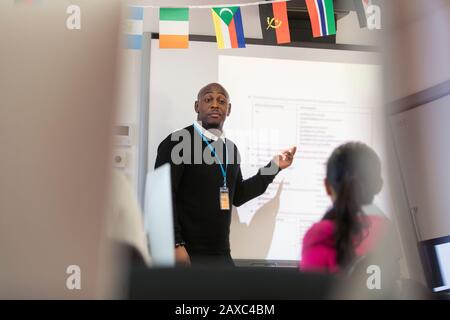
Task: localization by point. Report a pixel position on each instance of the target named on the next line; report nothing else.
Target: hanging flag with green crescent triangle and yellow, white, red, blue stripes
(228, 26)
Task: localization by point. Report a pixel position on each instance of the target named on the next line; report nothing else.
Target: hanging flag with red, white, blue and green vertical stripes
(321, 14)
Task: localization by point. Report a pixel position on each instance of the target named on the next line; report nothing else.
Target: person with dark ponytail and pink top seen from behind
(352, 226)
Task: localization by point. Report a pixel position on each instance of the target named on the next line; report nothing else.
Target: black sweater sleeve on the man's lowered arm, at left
(163, 157)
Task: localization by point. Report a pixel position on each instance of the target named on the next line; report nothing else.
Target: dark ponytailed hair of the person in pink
(354, 173)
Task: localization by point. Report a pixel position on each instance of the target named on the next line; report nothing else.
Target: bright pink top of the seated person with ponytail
(318, 250)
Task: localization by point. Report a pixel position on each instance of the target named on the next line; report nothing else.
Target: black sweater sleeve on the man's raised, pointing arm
(254, 186)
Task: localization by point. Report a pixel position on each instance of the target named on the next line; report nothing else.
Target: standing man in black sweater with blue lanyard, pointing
(207, 180)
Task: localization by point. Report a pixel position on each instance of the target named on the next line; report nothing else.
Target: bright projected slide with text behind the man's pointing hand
(281, 103)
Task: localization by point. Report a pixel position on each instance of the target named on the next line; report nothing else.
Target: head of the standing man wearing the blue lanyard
(212, 106)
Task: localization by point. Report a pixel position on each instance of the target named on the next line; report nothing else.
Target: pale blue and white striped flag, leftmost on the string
(134, 28)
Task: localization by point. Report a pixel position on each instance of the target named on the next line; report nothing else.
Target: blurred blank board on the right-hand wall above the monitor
(423, 150)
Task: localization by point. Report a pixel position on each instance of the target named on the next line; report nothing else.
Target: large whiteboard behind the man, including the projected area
(305, 78)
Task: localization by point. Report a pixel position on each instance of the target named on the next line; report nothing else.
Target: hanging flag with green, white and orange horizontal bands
(174, 28)
